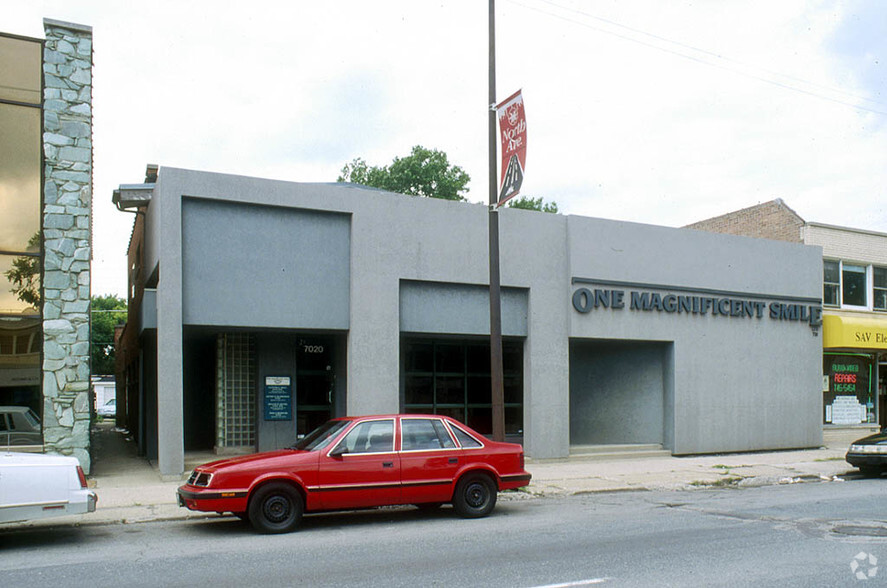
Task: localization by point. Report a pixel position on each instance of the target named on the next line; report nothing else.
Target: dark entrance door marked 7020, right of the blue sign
(315, 383)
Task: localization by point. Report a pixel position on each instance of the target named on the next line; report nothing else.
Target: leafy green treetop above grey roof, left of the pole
(424, 172)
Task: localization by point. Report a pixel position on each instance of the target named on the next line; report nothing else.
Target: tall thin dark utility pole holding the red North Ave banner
(496, 371)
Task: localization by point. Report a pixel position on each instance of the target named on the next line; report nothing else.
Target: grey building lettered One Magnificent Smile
(267, 306)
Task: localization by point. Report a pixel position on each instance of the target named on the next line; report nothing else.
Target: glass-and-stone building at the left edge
(45, 242)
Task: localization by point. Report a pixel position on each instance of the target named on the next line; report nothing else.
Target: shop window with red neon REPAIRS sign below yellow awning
(848, 395)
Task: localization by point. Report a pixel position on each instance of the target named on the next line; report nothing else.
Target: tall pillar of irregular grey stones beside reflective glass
(67, 193)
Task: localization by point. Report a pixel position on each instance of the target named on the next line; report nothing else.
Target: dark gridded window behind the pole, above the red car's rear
(453, 379)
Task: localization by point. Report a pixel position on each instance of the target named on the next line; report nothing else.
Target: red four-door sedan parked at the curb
(359, 462)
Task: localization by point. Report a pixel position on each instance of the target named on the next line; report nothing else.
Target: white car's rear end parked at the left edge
(37, 486)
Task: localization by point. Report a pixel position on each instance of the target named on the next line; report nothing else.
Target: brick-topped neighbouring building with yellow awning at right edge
(854, 296)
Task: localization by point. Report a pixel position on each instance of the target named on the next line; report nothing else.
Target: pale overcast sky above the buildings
(639, 110)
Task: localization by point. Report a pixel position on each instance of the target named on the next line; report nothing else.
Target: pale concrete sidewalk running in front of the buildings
(131, 489)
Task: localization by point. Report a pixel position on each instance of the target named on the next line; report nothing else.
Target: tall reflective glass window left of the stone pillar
(21, 292)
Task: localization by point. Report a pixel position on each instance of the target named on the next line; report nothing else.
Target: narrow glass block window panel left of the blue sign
(236, 391)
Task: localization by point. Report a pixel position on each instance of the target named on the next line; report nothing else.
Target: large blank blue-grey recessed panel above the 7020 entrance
(262, 266)
